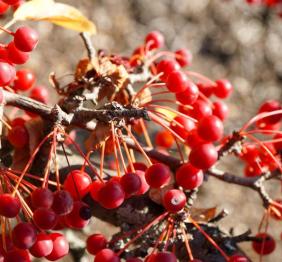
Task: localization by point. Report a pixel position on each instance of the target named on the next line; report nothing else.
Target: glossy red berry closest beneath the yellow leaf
(25, 39)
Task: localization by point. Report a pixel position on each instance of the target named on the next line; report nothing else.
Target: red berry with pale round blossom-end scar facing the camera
(174, 200)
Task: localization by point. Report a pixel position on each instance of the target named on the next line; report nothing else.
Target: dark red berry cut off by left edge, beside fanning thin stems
(9, 206)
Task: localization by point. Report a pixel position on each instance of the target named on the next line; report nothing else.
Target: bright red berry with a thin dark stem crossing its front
(77, 184)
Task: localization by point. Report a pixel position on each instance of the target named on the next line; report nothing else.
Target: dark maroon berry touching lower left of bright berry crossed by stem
(63, 202)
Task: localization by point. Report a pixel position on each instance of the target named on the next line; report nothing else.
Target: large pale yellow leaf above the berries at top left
(57, 13)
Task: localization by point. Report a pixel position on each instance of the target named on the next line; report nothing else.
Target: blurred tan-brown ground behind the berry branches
(227, 38)
